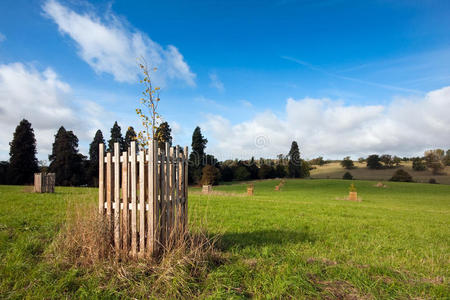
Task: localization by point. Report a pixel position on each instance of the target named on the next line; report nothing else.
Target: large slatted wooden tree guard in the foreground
(144, 197)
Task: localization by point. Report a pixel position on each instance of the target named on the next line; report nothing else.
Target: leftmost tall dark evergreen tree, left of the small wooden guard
(23, 162)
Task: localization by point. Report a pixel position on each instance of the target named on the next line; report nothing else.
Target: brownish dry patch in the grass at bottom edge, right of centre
(338, 289)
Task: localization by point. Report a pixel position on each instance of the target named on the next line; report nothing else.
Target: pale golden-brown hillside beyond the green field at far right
(361, 172)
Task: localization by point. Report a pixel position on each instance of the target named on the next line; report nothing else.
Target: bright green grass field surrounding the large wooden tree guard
(301, 242)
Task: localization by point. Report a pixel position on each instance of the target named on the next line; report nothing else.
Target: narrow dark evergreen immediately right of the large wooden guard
(197, 156)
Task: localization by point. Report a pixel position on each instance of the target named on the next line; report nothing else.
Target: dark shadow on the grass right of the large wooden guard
(260, 238)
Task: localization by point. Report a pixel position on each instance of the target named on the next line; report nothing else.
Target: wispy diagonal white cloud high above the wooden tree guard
(110, 46)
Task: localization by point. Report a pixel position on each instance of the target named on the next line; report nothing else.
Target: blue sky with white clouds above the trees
(339, 77)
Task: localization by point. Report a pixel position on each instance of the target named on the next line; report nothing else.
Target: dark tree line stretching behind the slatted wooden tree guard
(75, 169)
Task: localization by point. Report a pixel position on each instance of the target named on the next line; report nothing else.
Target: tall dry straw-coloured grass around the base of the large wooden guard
(84, 243)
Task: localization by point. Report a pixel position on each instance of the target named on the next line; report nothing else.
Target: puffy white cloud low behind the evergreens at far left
(47, 102)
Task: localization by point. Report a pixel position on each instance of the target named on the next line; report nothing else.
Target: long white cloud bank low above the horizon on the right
(332, 129)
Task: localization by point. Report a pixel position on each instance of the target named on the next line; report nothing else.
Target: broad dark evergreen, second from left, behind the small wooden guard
(65, 161)
